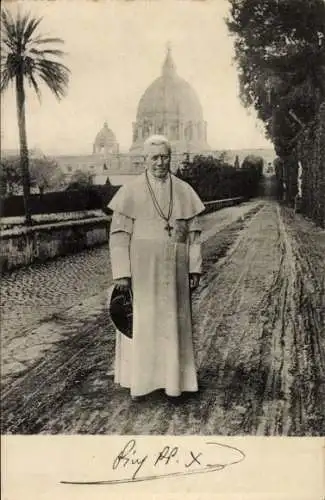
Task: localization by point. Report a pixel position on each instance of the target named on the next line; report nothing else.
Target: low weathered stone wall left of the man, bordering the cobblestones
(25, 245)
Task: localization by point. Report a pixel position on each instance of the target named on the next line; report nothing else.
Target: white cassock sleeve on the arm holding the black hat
(119, 242)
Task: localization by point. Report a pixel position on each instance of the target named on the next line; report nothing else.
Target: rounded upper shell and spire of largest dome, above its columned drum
(170, 96)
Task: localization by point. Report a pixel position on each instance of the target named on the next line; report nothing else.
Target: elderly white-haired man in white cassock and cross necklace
(155, 250)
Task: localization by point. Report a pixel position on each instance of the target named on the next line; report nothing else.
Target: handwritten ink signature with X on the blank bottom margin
(170, 461)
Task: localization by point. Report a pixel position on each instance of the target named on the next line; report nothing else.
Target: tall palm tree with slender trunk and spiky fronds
(28, 57)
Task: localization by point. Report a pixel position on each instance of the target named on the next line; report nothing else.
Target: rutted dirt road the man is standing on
(259, 343)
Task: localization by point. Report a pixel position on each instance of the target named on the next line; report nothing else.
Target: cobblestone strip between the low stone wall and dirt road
(34, 294)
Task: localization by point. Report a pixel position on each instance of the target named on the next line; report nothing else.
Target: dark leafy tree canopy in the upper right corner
(280, 54)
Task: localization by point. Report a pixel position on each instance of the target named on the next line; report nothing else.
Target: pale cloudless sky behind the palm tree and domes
(115, 49)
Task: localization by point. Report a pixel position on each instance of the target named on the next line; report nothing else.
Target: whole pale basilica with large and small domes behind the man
(169, 106)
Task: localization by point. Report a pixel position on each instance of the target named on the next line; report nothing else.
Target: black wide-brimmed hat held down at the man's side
(120, 308)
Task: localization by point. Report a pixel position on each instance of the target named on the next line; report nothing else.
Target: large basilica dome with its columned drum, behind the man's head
(170, 106)
